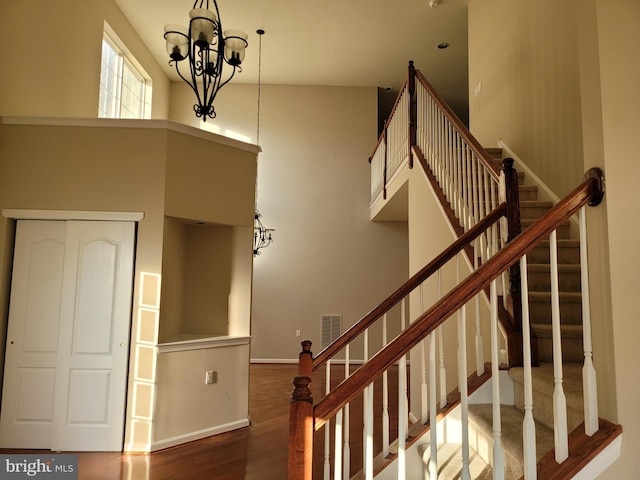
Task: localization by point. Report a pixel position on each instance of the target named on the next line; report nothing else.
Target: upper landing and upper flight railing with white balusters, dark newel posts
(467, 180)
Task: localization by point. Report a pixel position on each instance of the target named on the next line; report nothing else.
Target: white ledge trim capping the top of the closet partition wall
(132, 123)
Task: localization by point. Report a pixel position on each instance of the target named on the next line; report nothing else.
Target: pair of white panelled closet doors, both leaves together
(86, 388)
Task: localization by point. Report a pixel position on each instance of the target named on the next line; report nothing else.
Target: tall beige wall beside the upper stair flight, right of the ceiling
(525, 55)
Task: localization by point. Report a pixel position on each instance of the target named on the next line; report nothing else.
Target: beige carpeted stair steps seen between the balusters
(539, 281)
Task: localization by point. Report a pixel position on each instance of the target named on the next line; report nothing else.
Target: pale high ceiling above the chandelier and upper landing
(330, 42)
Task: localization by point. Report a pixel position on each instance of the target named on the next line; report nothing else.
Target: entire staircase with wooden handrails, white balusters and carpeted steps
(542, 407)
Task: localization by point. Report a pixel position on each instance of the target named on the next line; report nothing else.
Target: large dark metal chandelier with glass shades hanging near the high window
(207, 48)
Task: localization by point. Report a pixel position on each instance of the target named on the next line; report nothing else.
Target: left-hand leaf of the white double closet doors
(30, 370)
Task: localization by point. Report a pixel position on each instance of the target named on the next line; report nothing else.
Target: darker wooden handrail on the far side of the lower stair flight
(359, 327)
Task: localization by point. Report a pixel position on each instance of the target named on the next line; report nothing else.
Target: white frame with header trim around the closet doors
(77, 215)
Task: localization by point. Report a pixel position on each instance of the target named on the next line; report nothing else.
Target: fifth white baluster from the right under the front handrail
(465, 474)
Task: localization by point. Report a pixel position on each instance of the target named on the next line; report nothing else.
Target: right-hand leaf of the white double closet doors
(96, 312)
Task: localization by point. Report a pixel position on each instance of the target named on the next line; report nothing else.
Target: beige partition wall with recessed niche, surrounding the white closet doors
(115, 167)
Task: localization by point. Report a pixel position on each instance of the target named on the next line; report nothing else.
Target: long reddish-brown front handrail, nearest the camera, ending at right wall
(590, 191)
